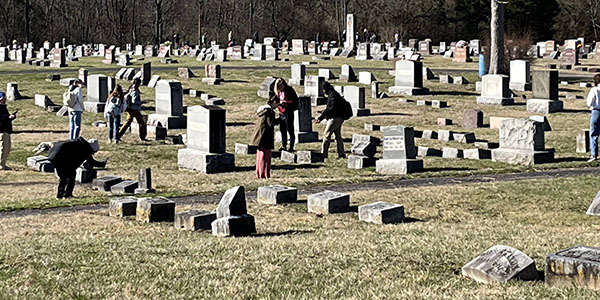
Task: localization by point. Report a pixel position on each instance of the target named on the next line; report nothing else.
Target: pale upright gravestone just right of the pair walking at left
(169, 106)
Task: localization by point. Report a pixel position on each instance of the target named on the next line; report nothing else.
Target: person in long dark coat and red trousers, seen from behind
(263, 138)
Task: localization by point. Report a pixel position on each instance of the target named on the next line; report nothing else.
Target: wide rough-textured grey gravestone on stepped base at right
(522, 142)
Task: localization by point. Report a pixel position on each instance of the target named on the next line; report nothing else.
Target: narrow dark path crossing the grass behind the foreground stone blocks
(376, 185)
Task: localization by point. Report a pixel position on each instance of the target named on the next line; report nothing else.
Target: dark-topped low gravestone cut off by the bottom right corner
(578, 266)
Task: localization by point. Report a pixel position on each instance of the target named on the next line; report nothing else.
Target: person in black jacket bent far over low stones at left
(66, 157)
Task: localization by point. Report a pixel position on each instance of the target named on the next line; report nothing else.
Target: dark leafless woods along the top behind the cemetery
(152, 21)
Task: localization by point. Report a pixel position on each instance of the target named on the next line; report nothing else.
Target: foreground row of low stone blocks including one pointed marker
(231, 217)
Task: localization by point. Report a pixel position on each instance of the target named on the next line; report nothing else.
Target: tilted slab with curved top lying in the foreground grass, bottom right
(500, 264)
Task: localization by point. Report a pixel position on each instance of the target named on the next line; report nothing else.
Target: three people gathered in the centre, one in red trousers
(285, 101)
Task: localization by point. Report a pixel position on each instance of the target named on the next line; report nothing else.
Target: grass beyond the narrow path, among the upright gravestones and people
(25, 189)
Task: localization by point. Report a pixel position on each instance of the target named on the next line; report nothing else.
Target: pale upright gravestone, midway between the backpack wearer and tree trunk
(408, 79)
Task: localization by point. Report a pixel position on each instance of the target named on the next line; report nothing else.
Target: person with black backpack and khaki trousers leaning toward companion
(337, 111)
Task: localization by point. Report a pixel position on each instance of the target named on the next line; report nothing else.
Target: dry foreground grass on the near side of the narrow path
(296, 255)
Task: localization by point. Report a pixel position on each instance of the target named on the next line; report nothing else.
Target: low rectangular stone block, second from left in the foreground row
(157, 209)
